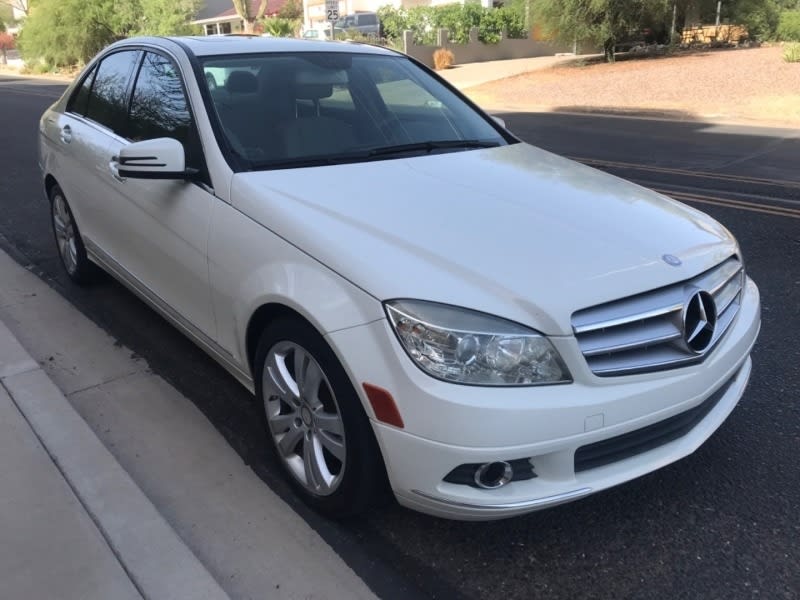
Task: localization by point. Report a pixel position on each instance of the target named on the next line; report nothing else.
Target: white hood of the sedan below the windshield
(513, 231)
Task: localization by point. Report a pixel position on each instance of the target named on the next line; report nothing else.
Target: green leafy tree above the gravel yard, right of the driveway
(605, 22)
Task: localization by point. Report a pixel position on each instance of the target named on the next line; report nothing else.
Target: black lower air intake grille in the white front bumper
(630, 444)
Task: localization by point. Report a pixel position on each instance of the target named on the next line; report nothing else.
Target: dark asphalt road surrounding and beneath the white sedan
(722, 523)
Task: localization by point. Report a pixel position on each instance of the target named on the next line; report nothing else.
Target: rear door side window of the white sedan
(108, 100)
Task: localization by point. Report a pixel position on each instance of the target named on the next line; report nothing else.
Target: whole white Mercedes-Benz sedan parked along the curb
(414, 295)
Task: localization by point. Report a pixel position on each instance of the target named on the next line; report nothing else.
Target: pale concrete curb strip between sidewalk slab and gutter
(157, 561)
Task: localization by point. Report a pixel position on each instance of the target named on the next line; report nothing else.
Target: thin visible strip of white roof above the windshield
(214, 45)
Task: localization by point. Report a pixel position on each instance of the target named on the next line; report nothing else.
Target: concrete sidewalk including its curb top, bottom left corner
(73, 524)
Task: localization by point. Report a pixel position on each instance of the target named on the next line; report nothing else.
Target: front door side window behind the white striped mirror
(158, 106)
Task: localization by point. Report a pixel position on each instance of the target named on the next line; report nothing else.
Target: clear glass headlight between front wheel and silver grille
(464, 346)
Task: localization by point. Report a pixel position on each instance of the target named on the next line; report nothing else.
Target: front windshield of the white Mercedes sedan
(285, 110)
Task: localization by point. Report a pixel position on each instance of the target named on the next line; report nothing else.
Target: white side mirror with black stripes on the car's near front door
(161, 158)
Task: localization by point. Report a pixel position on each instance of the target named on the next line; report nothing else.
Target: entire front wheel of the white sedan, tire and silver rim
(312, 414)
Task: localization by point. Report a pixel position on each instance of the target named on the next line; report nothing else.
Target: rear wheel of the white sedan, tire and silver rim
(69, 242)
